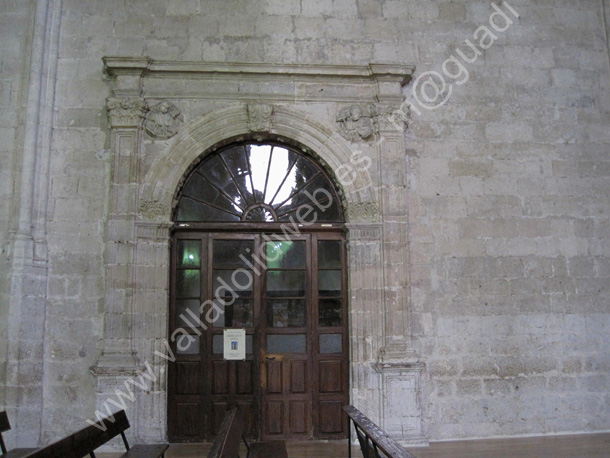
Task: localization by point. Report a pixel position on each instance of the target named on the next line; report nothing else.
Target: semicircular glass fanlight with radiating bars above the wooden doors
(258, 183)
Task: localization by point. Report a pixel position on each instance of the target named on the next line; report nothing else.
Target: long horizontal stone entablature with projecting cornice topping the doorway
(384, 80)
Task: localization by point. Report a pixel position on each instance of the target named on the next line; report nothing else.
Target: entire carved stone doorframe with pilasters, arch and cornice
(165, 115)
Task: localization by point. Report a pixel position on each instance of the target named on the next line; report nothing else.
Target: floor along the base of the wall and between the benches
(575, 446)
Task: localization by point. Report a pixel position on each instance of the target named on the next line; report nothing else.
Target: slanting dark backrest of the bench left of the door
(85, 441)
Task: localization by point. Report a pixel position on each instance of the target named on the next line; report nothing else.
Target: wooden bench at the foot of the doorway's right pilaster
(374, 442)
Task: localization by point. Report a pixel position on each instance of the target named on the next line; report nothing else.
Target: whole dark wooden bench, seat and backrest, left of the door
(85, 441)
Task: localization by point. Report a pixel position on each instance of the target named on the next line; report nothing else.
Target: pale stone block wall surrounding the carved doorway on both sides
(508, 189)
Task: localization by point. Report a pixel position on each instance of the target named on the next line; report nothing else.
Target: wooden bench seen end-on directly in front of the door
(232, 432)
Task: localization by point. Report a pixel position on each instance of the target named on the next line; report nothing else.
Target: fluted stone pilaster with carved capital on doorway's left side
(118, 361)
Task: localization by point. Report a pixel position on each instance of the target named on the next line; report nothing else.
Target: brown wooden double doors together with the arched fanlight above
(258, 245)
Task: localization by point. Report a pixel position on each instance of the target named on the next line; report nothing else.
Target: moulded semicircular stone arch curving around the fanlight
(214, 129)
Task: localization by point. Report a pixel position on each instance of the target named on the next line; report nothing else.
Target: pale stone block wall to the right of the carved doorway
(509, 215)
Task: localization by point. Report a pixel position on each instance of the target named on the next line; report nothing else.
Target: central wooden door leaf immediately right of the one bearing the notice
(286, 340)
